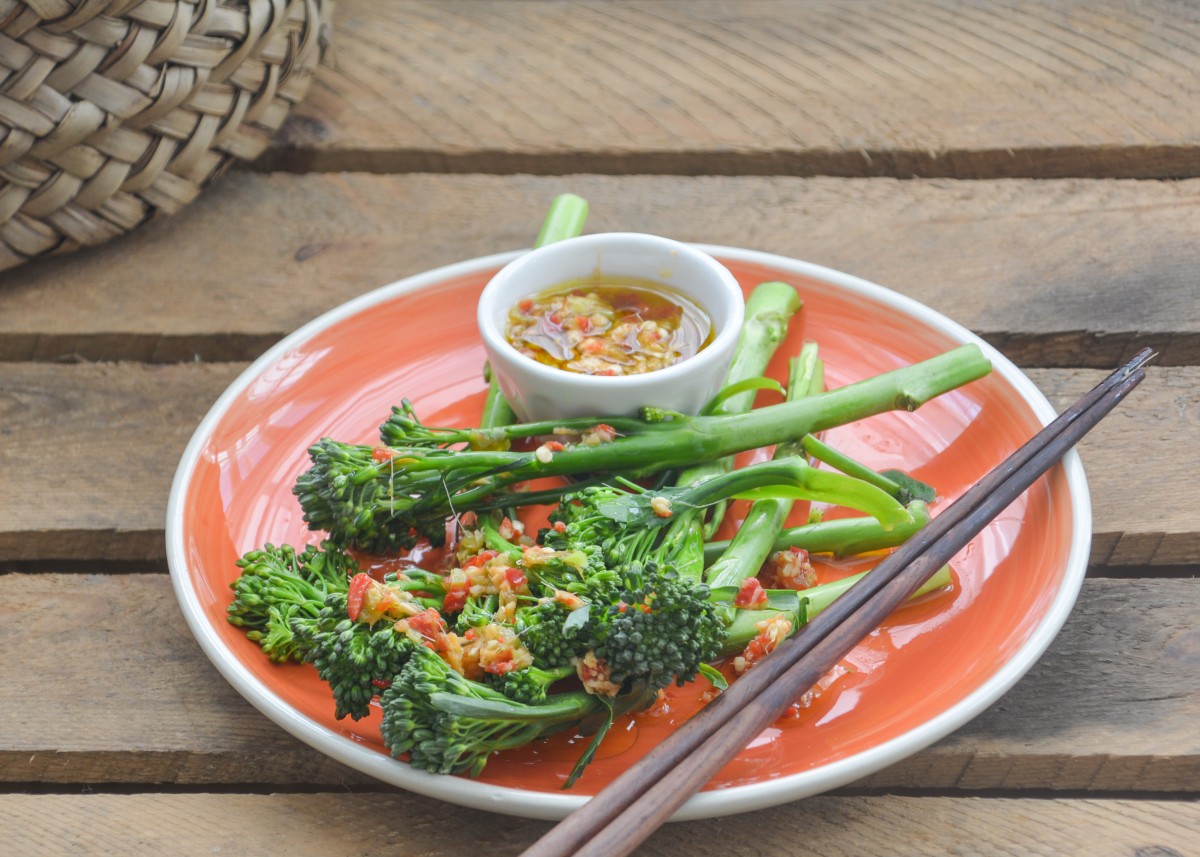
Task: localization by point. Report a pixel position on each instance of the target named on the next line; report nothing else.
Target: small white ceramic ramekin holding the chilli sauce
(543, 393)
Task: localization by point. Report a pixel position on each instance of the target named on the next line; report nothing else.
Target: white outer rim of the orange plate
(550, 806)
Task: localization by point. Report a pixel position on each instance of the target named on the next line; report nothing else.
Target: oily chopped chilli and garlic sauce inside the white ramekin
(609, 327)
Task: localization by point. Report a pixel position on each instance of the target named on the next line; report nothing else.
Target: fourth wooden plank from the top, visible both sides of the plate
(1109, 709)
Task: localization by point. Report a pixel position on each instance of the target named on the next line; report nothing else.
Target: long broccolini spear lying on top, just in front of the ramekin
(383, 499)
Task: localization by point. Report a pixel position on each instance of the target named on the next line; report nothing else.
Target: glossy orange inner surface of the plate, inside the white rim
(925, 660)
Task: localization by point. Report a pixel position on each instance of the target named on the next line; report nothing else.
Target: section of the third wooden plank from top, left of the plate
(112, 436)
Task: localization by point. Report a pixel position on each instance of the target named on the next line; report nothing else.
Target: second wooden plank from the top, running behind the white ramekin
(1047, 271)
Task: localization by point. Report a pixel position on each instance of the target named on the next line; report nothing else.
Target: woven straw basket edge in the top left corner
(115, 111)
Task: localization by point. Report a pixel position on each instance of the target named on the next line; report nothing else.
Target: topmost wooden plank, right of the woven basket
(935, 88)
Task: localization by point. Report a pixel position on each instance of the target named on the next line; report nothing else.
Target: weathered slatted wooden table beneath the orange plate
(1005, 164)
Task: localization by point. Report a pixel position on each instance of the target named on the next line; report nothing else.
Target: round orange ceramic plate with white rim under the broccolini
(931, 669)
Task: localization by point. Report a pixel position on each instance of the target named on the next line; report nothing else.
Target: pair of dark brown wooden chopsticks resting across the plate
(628, 811)
